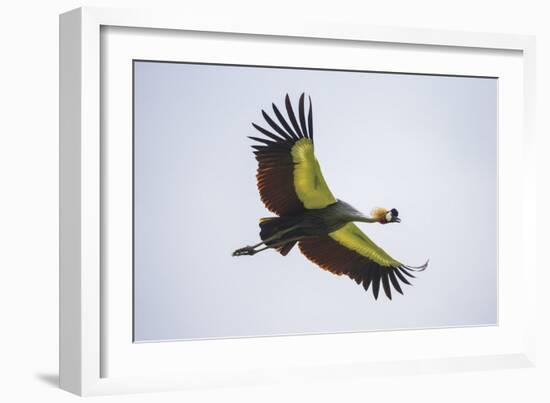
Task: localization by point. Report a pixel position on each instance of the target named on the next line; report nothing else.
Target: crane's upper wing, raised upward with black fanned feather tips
(289, 176)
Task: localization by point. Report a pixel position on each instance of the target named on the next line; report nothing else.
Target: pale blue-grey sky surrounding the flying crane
(425, 145)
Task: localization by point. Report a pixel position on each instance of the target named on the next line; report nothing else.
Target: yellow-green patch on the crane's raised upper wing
(309, 183)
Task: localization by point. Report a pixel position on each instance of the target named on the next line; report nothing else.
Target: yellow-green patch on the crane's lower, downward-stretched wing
(351, 237)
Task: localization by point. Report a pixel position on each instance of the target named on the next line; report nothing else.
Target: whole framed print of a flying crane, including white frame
(340, 189)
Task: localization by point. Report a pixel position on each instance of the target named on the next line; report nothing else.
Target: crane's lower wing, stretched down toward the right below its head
(349, 251)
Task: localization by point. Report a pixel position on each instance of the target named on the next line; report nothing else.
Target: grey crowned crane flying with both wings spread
(292, 186)
